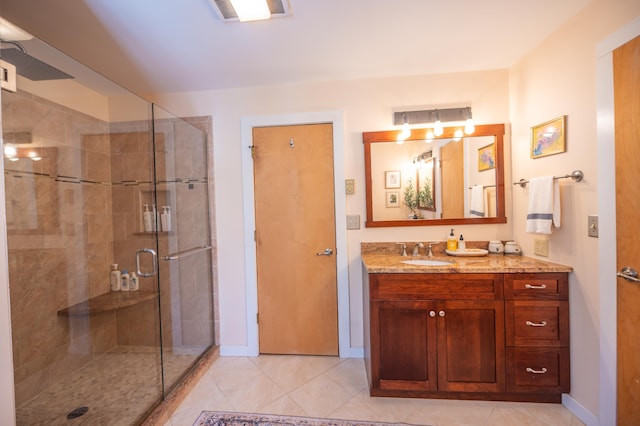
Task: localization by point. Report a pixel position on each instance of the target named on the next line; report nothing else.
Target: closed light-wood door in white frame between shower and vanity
(295, 224)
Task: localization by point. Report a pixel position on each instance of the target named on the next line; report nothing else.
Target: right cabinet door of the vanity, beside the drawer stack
(471, 347)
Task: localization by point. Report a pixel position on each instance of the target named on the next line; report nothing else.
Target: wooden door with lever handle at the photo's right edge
(626, 71)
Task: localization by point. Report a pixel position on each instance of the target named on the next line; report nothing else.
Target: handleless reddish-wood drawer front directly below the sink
(435, 286)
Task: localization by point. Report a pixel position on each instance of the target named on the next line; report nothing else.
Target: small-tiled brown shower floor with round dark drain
(118, 387)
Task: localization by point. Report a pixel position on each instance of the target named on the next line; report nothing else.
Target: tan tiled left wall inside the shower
(60, 239)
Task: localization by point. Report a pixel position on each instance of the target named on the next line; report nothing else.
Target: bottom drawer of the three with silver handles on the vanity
(538, 370)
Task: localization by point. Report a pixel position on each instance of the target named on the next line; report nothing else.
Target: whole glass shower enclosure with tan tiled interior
(94, 177)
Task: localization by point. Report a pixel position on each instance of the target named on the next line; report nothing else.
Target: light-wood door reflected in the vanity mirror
(451, 167)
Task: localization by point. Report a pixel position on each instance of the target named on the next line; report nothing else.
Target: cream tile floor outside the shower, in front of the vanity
(331, 387)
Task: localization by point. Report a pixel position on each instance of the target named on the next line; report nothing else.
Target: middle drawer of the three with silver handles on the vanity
(537, 323)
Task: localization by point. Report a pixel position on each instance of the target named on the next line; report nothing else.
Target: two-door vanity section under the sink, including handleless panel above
(435, 333)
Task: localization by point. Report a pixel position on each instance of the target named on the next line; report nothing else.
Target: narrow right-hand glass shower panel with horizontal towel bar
(184, 242)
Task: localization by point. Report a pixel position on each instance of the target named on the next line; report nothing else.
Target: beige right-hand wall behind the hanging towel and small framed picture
(559, 78)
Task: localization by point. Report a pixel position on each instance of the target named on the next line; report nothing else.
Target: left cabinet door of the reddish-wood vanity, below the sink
(406, 345)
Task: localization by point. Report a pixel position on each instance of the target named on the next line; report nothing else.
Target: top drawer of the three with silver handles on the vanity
(536, 286)
